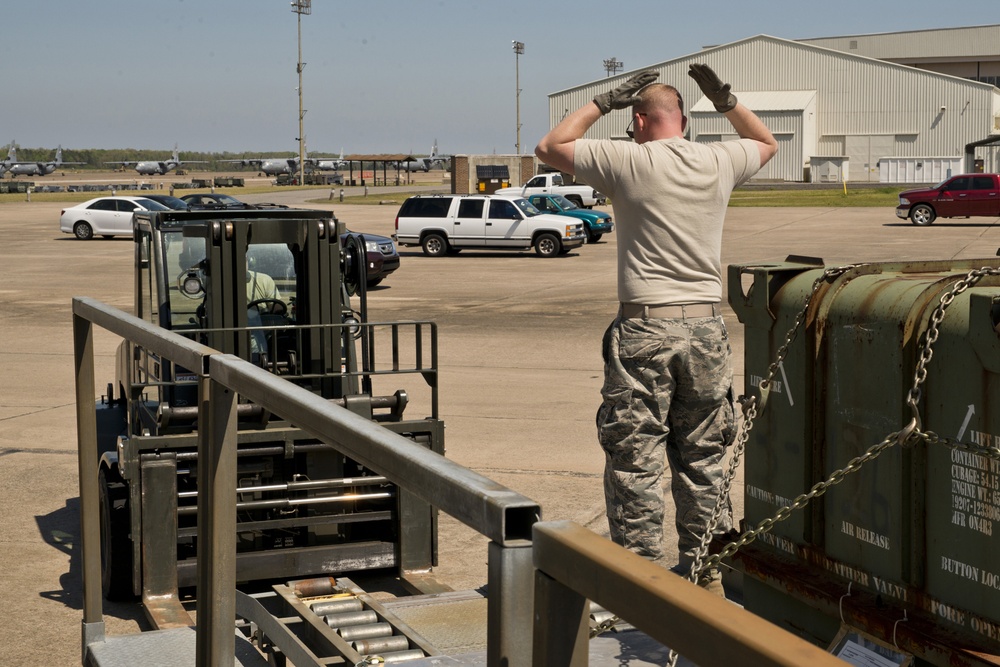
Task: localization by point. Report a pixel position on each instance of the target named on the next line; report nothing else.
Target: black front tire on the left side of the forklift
(116, 547)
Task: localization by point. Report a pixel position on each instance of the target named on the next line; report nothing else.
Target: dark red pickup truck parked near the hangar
(961, 196)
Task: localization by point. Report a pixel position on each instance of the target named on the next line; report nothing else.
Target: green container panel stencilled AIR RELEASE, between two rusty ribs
(867, 337)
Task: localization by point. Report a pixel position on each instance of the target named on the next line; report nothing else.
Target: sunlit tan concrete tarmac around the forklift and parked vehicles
(519, 340)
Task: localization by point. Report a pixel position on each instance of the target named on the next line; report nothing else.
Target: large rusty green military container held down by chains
(899, 549)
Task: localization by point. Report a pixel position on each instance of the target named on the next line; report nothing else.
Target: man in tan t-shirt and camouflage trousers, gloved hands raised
(667, 391)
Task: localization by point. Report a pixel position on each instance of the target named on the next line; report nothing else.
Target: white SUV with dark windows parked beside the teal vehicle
(448, 223)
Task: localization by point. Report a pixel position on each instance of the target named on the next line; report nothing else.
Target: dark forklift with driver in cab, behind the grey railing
(285, 290)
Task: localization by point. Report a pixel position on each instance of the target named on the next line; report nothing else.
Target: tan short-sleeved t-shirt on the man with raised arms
(670, 198)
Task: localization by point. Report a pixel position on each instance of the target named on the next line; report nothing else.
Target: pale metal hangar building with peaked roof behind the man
(907, 107)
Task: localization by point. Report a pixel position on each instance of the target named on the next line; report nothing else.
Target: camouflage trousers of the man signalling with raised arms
(667, 396)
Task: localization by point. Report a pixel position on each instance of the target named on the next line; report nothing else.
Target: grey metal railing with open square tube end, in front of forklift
(498, 513)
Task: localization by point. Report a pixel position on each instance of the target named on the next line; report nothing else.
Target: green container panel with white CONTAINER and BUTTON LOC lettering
(962, 402)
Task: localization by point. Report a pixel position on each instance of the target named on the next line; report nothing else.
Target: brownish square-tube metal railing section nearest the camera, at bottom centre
(574, 565)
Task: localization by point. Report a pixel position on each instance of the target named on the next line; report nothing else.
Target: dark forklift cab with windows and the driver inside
(271, 288)
